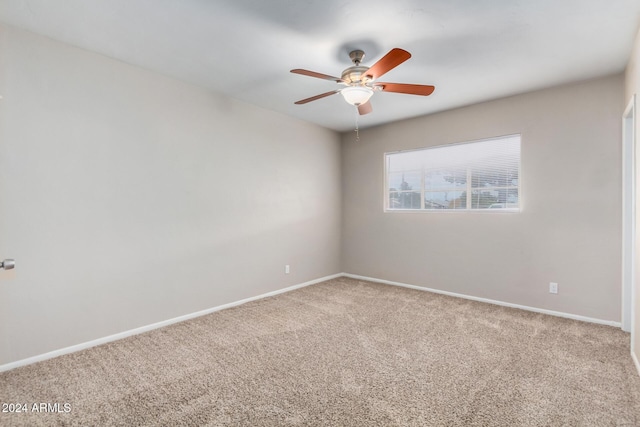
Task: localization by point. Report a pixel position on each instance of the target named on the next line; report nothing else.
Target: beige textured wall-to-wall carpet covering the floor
(344, 353)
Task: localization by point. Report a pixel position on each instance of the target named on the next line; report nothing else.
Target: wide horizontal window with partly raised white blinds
(470, 176)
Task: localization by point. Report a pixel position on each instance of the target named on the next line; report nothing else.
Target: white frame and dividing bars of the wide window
(468, 187)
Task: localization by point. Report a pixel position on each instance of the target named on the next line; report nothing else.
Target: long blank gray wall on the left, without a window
(128, 198)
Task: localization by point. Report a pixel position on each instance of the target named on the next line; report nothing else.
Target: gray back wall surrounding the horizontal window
(569, 230)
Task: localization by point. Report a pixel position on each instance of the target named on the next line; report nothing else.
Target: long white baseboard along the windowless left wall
(142, 329)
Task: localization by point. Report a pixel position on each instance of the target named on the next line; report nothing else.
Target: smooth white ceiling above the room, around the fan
(471, 50)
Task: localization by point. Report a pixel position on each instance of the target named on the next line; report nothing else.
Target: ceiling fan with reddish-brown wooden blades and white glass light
(360, 81)
